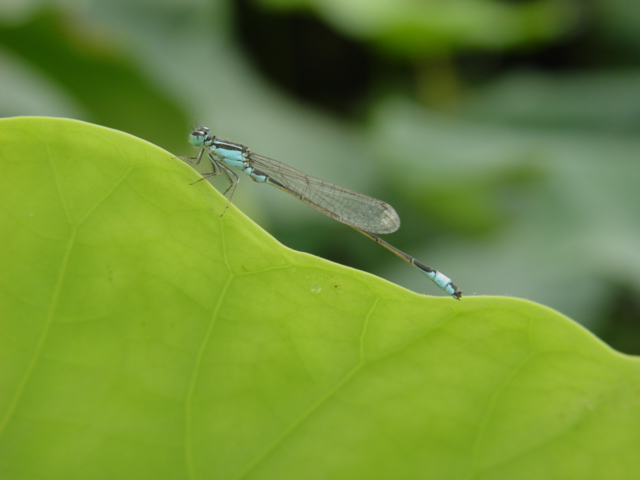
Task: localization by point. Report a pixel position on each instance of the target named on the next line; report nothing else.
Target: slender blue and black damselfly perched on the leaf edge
(361, 212)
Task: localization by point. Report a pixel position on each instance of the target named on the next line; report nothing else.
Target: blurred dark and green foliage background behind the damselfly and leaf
(505, 133)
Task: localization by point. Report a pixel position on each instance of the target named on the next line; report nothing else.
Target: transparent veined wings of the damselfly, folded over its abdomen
(342, 204)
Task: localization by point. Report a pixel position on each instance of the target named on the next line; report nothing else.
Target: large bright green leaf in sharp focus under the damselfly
(144, 336)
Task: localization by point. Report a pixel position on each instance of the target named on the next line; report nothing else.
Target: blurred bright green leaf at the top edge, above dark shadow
(409, 28)
